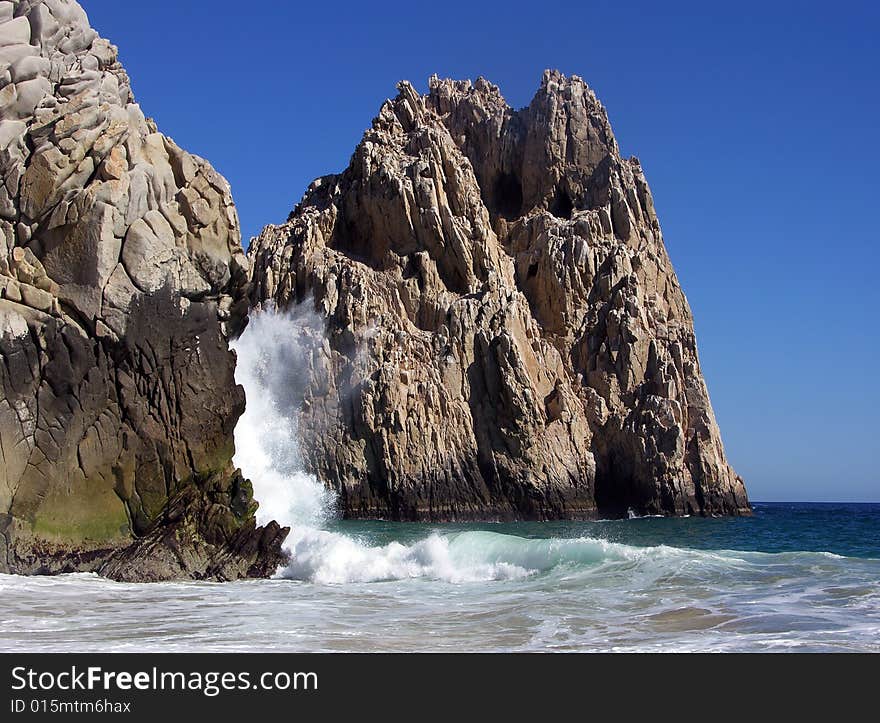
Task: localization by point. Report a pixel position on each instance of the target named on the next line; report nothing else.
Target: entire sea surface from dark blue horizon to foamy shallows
(794, 577)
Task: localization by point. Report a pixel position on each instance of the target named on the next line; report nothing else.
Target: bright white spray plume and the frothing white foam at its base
(272, 354)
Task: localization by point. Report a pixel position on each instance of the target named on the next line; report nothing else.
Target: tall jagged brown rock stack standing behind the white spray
(506, 337)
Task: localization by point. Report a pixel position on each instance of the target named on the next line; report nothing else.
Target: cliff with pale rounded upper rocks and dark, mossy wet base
(121, 274)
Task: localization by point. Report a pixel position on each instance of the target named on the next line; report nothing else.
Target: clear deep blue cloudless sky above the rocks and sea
(757, 125)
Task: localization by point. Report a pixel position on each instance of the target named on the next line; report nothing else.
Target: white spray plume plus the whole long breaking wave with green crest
(272, 354)
